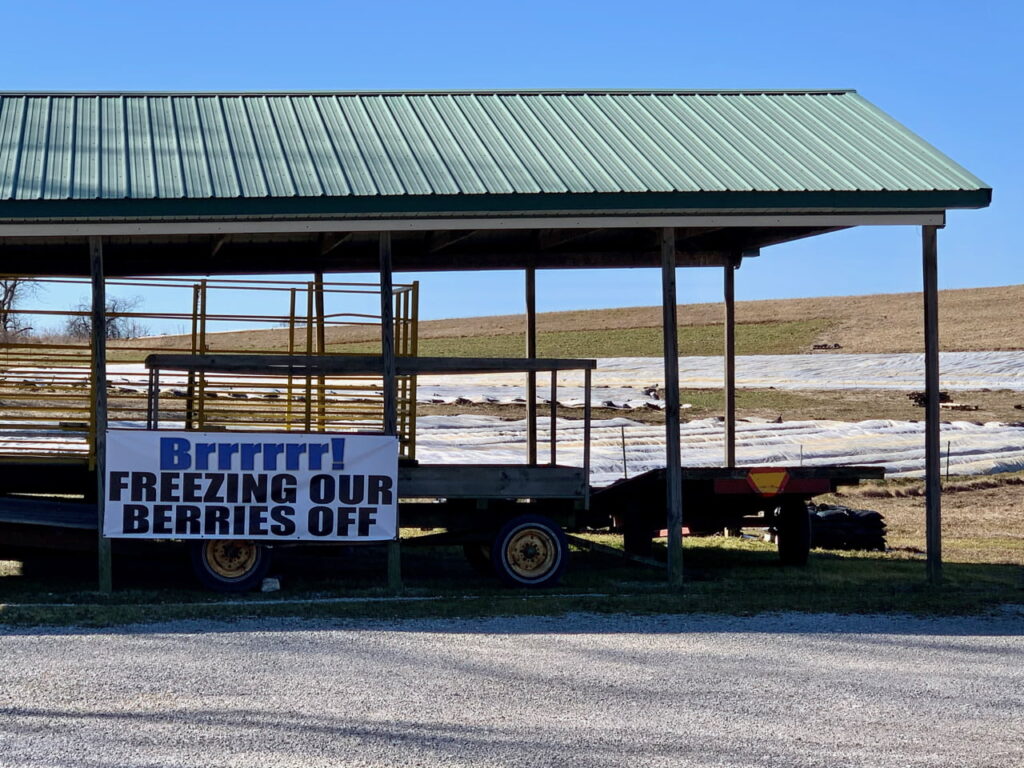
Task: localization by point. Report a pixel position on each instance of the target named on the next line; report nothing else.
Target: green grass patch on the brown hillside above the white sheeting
(760, 338)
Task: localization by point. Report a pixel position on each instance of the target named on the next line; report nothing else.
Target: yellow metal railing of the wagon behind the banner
(46, 359)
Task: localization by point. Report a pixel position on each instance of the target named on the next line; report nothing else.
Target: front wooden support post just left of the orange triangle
(673, 475)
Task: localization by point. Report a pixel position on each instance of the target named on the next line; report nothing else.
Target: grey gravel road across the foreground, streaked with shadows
(580, 691)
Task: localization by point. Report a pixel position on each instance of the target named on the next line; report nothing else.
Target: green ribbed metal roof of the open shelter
(294, 154)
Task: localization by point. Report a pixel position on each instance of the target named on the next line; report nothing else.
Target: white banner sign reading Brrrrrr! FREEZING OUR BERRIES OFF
(281, 487)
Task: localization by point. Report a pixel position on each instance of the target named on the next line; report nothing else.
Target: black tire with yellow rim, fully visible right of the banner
(530, 551)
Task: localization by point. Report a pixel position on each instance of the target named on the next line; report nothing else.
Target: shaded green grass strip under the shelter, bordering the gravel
(724, 576)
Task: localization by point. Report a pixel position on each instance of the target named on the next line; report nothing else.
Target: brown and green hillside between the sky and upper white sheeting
(982, 319)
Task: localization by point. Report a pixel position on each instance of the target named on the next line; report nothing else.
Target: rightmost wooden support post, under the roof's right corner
(933, 456)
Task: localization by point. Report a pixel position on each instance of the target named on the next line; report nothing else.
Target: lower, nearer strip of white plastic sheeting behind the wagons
(898, 446)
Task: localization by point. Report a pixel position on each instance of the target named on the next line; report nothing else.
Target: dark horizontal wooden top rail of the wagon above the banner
(363, 365)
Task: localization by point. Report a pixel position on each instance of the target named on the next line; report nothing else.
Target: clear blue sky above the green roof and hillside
(951, 71)
